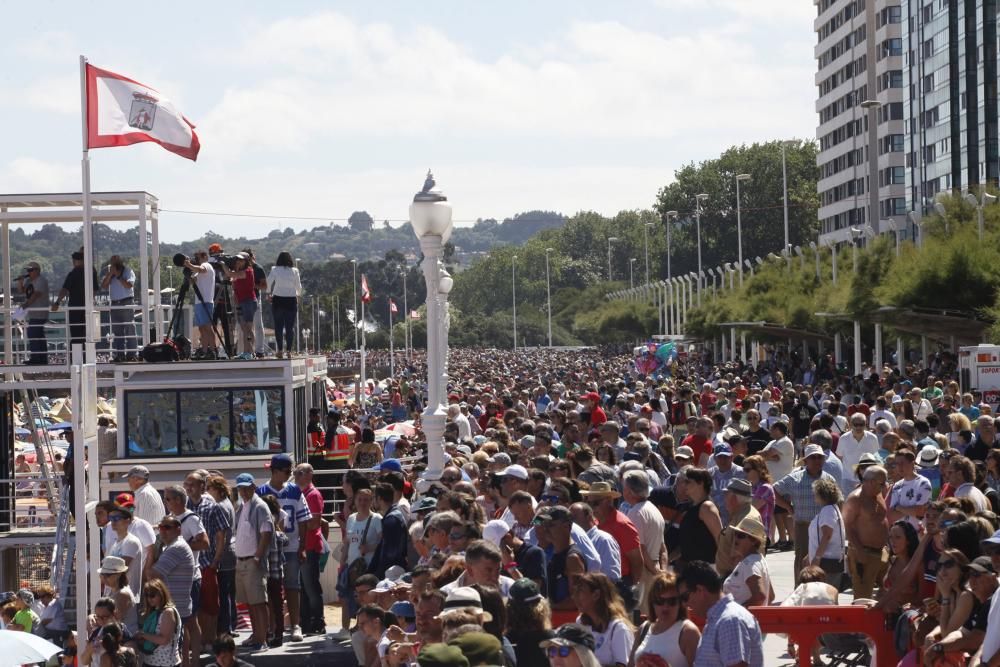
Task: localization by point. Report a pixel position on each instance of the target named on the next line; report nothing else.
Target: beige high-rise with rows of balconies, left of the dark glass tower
(860, 81)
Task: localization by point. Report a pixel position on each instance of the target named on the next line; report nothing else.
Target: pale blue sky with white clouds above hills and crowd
(320, 109)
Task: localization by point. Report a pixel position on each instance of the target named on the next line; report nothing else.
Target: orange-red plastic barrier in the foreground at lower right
(804, 625)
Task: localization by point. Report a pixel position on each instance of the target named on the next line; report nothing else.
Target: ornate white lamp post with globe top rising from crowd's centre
(430, 216)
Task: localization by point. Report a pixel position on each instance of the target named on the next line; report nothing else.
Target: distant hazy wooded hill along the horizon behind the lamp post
(363, 239)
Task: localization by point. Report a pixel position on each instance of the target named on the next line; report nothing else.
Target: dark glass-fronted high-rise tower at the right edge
(951, 97)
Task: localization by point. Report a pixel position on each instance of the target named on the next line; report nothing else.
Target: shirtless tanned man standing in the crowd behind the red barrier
(867, 532)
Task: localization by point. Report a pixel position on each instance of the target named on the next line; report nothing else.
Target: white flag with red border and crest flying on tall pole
(121, 112)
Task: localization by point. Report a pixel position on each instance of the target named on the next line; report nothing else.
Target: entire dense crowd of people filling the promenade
(584, 515)
